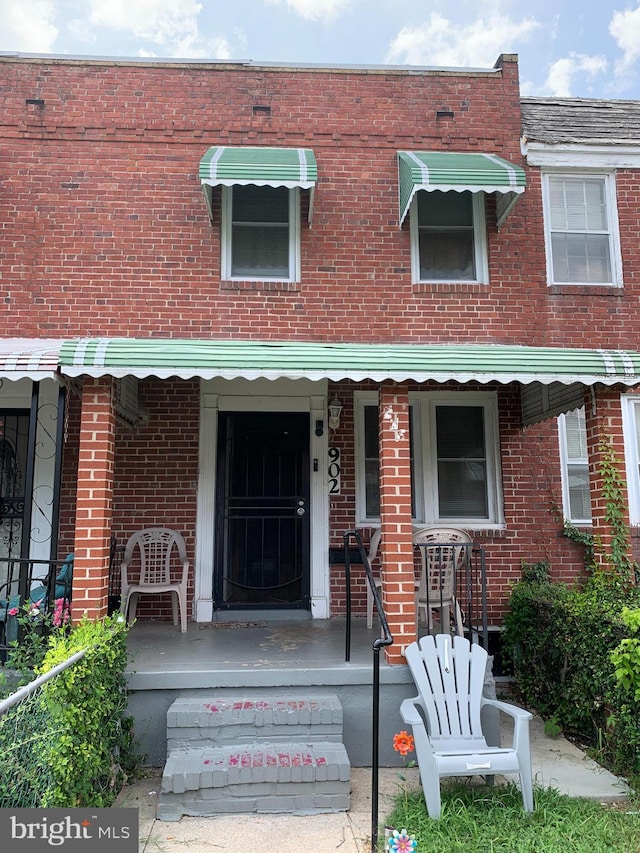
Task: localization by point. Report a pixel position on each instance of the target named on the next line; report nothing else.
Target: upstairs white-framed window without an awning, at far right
(581, 229)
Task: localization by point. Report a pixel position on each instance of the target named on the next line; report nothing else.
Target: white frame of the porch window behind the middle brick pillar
(425, 458)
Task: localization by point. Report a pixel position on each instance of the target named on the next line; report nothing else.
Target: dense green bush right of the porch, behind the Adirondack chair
(561, 641)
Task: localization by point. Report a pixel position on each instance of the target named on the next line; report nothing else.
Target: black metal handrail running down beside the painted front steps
(385, 640)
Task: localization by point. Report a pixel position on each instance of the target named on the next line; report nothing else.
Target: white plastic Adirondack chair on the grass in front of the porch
(445, 718)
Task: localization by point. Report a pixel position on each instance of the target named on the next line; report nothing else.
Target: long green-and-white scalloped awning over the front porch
(231, 359)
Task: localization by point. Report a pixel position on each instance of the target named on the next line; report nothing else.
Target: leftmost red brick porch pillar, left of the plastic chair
(94, 500)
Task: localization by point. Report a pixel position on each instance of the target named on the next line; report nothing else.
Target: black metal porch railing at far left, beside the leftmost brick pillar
(45, 584)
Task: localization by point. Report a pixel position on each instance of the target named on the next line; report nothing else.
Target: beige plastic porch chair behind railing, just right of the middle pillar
(442, 562)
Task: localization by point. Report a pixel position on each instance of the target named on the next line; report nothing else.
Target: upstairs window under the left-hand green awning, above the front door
(260, 233)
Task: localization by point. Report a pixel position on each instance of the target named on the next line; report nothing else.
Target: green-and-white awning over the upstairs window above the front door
(263, 167)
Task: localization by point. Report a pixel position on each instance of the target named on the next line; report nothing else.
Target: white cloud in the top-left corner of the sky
(28, 28)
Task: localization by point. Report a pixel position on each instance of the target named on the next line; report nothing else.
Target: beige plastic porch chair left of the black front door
(155, 547)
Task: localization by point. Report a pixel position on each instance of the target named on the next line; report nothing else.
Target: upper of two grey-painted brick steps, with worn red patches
(219, 720)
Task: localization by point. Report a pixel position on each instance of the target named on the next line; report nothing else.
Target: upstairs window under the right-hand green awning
(448, 237)
